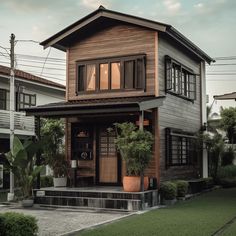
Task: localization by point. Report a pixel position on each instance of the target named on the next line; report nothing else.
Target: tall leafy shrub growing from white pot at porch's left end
(53, 132)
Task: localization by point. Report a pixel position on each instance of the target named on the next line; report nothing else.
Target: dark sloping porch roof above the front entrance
(96, 106)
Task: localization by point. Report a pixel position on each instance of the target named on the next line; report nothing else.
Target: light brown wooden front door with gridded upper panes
(108, 160)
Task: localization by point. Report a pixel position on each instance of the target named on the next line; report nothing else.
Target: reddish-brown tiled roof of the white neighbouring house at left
(4, 70)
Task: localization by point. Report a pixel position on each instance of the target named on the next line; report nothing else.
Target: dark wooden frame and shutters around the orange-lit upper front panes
(139, 82)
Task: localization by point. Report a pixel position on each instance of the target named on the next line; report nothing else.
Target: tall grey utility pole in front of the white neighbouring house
(10, 196)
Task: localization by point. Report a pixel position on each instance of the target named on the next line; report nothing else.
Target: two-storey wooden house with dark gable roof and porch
(125, 68)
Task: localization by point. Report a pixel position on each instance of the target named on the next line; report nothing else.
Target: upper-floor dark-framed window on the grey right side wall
(180, 80)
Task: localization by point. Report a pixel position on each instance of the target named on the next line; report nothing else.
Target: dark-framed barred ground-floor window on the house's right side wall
(180, 148)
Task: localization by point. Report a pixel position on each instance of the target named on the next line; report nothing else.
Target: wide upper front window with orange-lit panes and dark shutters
(126, 72)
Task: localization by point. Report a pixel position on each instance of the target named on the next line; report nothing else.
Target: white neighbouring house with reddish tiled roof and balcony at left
(30, 91)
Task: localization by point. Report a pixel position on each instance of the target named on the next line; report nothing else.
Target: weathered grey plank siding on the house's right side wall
(177, 112)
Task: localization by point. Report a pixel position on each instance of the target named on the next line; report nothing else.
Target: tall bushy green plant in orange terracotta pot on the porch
(135, 147)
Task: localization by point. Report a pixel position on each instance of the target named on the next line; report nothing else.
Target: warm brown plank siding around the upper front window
(113, 41)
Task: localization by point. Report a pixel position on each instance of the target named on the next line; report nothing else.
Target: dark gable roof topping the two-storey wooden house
(101, 15)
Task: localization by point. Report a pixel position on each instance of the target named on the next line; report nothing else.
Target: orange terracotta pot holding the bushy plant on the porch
(132, 183)
